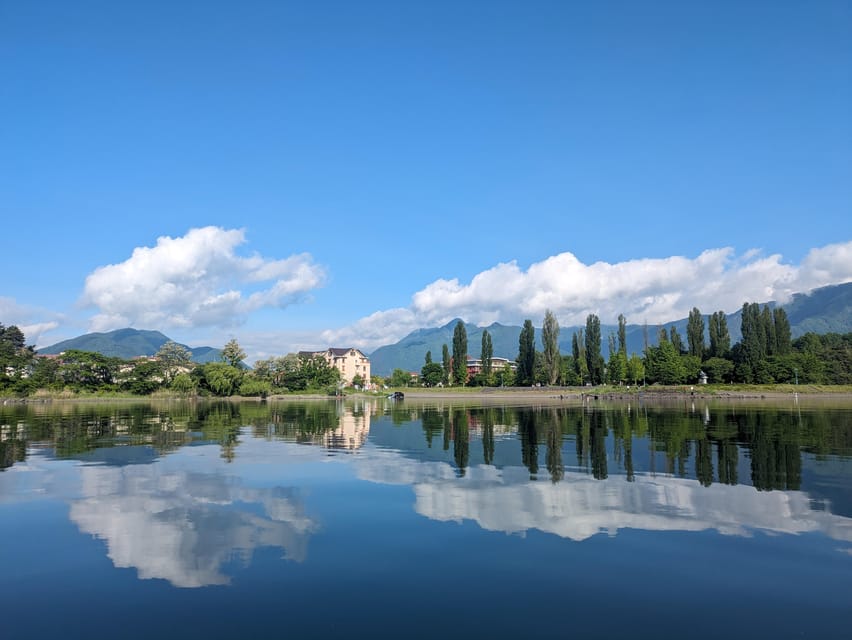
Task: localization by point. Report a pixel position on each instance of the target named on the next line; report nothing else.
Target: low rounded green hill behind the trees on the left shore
(127, 344)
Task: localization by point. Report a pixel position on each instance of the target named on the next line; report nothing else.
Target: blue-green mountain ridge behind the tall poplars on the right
(824, 310)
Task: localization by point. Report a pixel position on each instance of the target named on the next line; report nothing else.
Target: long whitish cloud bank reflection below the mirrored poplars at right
(507, 500)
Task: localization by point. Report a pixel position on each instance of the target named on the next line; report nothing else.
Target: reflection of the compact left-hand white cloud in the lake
(183, 526)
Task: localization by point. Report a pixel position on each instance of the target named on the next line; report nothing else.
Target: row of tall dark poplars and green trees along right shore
(766, 354)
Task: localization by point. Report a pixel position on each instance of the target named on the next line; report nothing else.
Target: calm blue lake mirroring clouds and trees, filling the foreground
(373, 518)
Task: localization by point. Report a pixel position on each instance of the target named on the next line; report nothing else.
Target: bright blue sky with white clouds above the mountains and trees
(298, 175)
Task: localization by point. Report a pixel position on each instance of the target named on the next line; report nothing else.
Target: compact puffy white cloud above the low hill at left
(196, 280)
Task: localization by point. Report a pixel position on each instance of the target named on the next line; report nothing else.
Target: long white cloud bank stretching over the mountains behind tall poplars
(645, 290)
